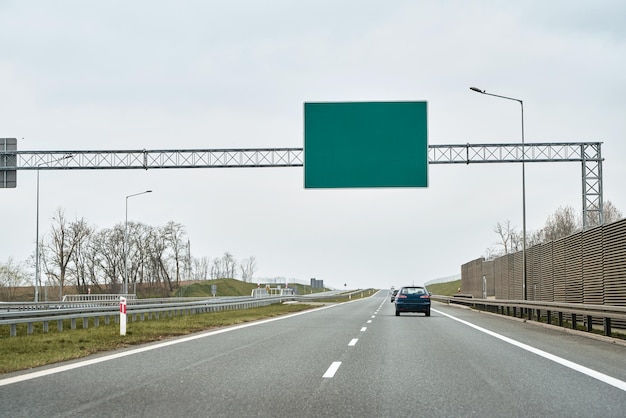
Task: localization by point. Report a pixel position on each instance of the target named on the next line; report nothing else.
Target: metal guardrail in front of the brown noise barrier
(550, 312)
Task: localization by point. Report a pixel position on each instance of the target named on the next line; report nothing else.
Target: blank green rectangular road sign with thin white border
(365, 144)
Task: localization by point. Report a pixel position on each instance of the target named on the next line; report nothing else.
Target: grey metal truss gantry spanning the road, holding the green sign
(587, 153)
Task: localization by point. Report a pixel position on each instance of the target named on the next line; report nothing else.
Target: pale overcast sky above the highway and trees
(123, 75)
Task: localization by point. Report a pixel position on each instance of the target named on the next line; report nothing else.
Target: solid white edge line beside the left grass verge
(78, 364)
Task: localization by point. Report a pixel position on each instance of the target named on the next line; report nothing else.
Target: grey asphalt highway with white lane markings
(349, 360)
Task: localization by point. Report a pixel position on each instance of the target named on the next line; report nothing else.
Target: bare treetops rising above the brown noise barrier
(563, 222)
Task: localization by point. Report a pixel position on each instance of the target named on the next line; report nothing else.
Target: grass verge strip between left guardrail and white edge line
(27, 351)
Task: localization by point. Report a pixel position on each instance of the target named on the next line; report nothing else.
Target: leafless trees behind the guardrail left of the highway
(74, 253)
